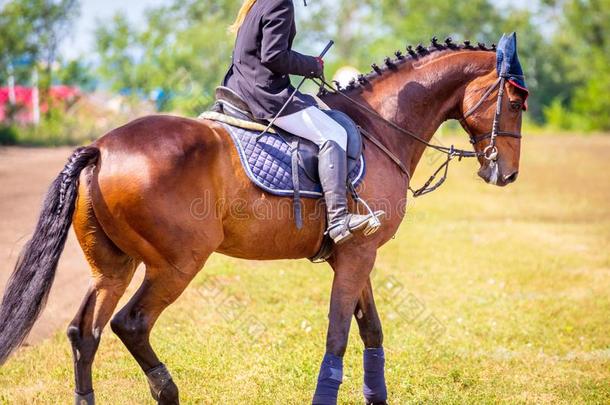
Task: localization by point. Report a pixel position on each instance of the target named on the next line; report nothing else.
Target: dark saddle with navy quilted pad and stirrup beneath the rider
(281, 163)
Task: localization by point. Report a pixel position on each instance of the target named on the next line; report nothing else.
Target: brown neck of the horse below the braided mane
(419, 98)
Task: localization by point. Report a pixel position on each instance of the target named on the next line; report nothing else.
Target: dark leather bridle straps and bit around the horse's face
(491, 151)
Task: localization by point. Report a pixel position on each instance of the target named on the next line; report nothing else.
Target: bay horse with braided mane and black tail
(130, 194)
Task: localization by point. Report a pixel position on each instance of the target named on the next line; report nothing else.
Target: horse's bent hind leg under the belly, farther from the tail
(133, 324)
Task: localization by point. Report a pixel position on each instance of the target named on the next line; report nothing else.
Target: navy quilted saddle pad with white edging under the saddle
(267, 162)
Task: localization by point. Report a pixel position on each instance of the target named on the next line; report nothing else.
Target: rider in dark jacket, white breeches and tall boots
(262, 61)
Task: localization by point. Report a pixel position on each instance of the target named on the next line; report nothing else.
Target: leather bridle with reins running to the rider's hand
(490, 153)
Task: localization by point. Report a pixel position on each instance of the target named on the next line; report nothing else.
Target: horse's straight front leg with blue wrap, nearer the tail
(352, 268)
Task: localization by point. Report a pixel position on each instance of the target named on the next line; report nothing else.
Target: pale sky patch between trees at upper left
(81, 40)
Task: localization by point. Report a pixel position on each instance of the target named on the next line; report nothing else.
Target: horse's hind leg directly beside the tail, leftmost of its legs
(112, 271)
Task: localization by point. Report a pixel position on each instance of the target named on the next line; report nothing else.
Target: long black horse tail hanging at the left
(28, 288)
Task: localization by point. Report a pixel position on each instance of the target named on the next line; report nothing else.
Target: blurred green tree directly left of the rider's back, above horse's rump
(180, 57)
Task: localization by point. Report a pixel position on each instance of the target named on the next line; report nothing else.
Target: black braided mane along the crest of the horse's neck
(391, 65)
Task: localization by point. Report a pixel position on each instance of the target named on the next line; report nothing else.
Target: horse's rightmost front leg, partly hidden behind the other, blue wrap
(369, 324)
